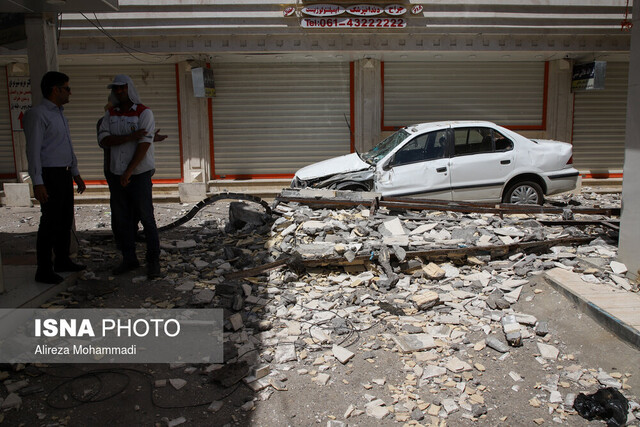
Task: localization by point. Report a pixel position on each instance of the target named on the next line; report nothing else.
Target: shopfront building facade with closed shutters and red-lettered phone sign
(302, 82)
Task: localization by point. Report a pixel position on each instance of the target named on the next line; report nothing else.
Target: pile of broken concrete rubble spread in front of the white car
(435, 316)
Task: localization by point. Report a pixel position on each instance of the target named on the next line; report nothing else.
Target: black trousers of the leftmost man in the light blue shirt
(54, 233)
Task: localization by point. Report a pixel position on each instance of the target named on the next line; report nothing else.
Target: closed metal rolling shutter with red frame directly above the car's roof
(507, 93)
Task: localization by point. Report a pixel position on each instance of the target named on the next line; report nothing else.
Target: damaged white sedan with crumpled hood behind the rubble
(458, 160)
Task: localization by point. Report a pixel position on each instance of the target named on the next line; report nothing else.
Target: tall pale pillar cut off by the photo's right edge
(629, 247)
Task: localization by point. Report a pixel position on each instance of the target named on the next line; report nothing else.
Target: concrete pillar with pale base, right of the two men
(195, 130)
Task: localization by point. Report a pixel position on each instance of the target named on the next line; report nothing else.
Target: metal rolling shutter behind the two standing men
(156, 85)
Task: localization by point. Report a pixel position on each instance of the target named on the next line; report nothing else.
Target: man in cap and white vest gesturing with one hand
(127, 129)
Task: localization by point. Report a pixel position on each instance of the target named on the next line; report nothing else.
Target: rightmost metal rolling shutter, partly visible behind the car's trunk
(599, 121)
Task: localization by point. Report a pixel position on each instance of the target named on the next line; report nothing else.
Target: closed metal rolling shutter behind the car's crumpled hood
(276, 118)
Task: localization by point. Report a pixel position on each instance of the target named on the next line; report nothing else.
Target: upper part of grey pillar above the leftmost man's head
(42, 49)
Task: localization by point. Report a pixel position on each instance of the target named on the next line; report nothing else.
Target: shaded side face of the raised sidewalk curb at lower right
(606, 319)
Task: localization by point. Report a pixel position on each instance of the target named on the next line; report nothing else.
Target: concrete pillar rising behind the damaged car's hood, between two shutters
(367, 103)
